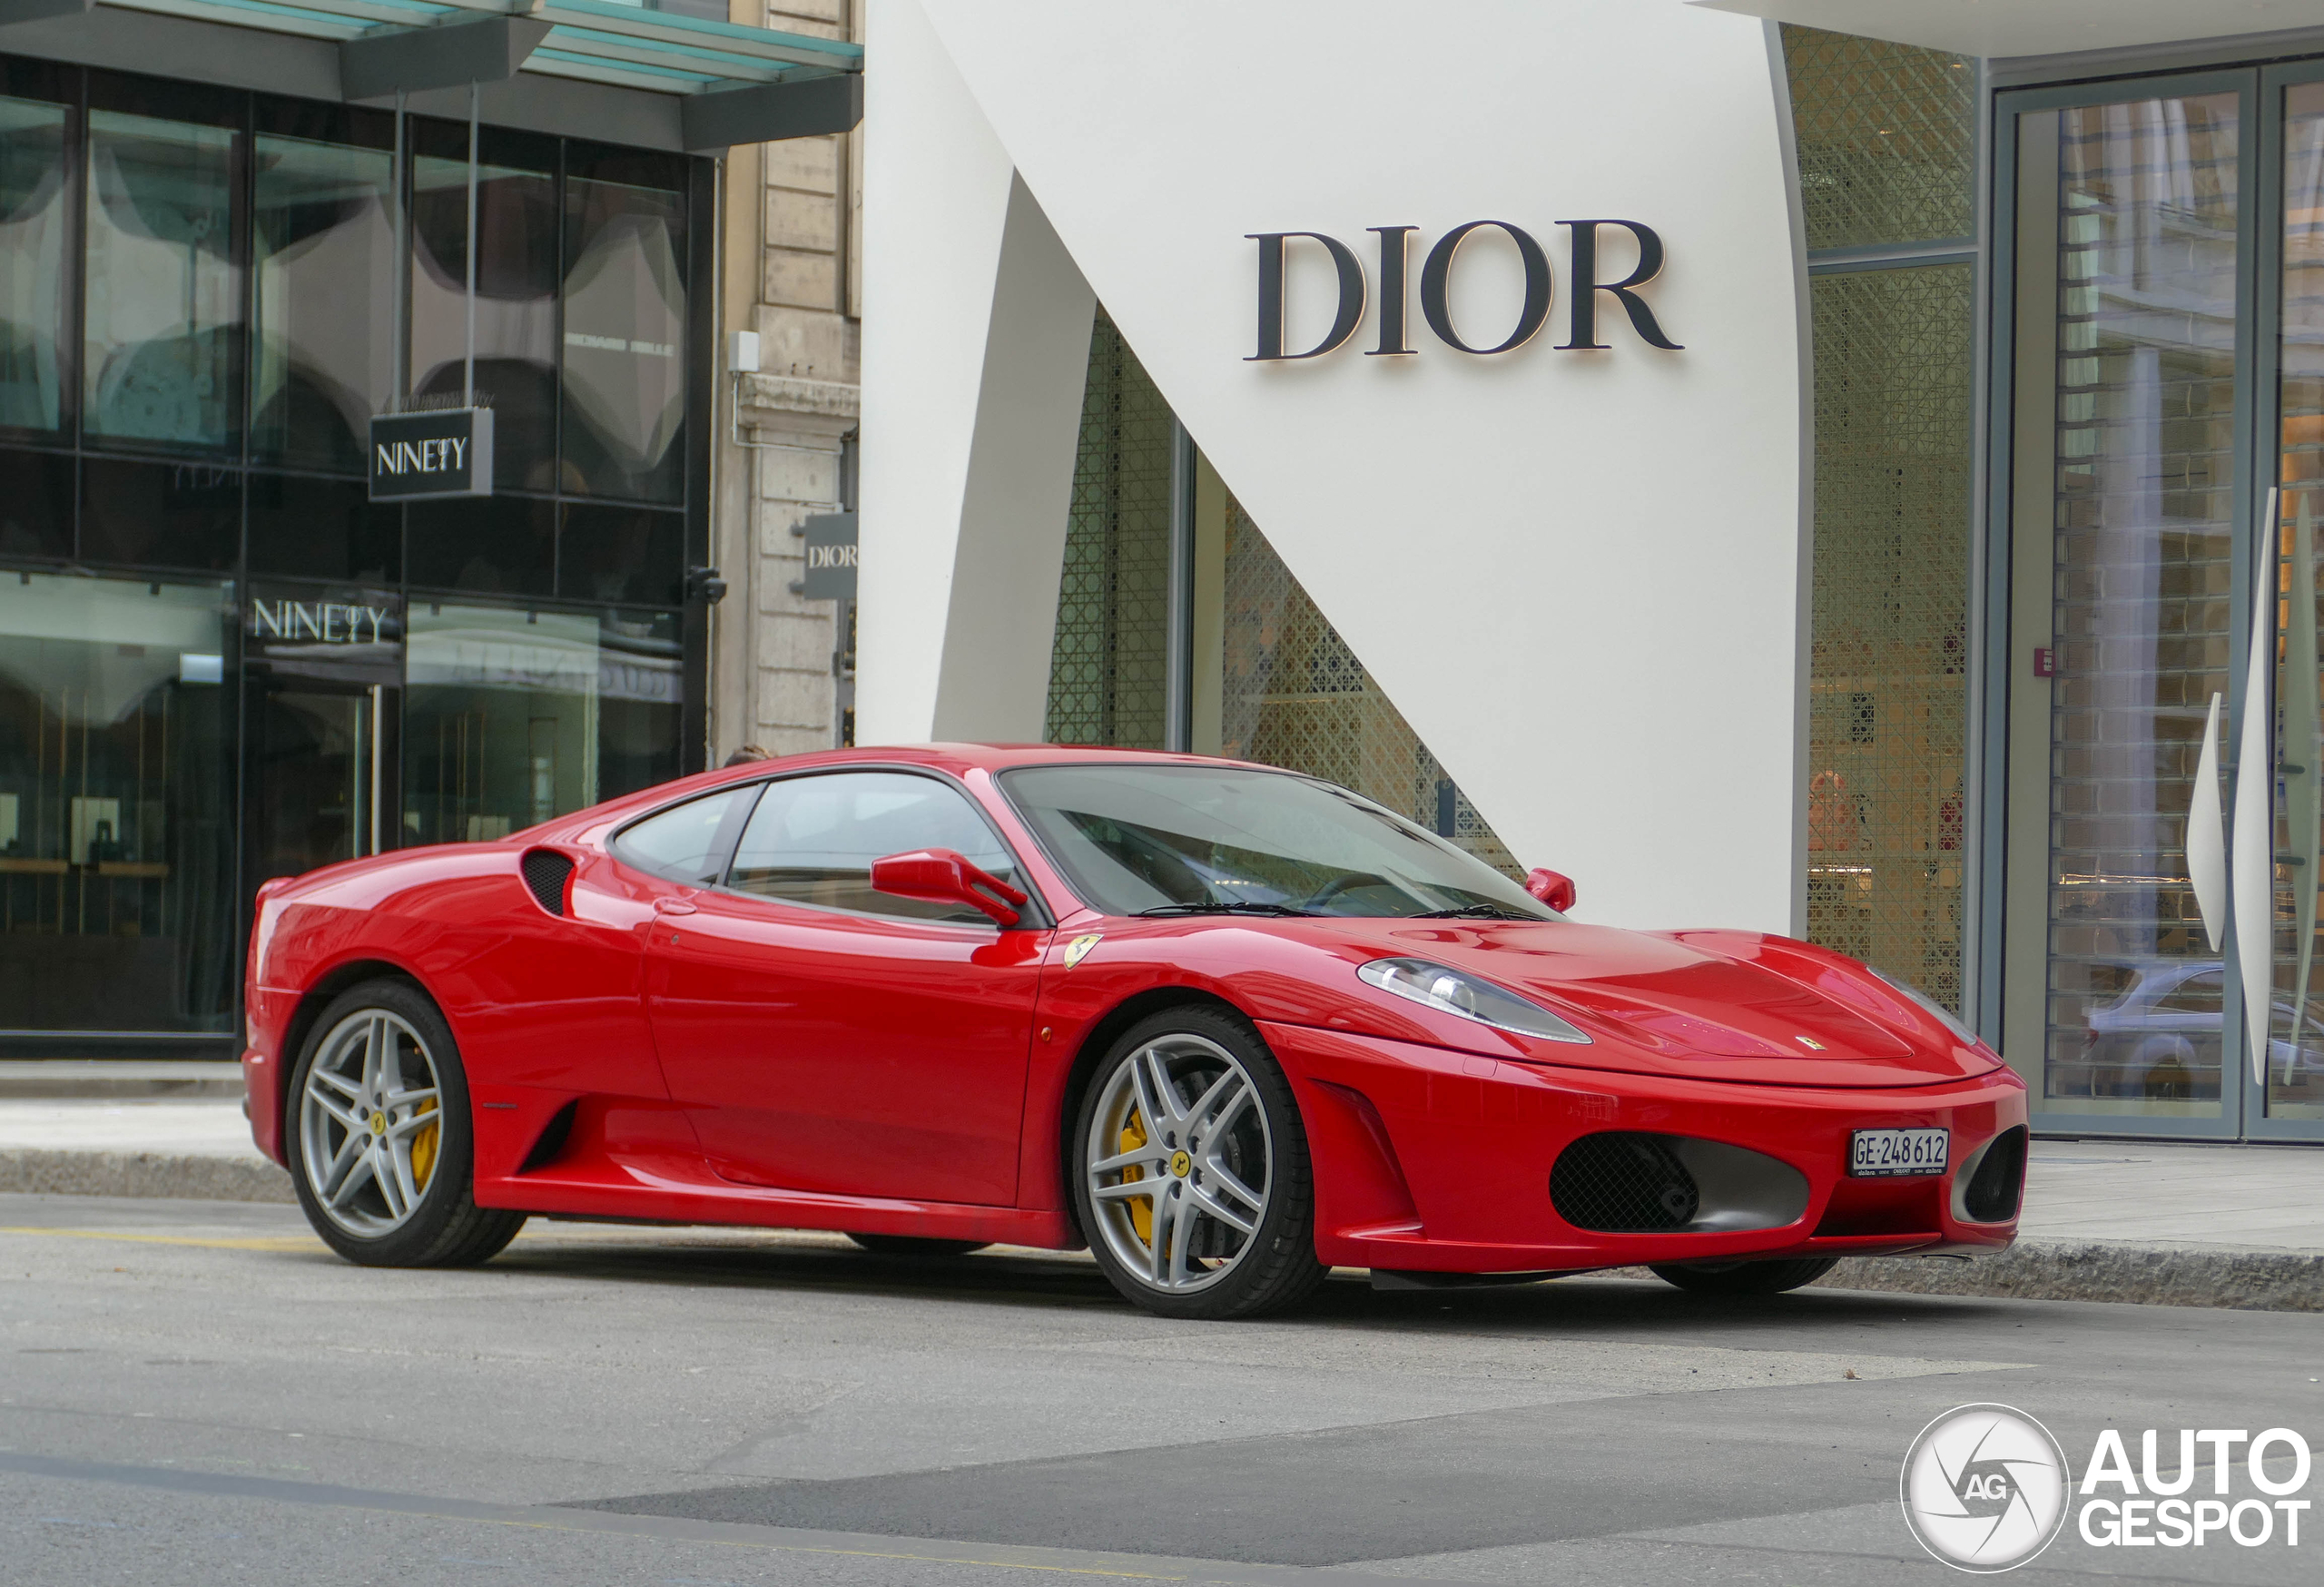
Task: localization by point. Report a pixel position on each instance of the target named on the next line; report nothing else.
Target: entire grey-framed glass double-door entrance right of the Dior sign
(2162, 264)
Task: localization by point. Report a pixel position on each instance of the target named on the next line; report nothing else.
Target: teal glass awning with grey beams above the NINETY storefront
(731, 82)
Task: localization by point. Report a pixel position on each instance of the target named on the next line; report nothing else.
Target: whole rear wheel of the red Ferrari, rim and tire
(382, 1149)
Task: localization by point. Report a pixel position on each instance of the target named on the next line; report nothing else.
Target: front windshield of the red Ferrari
(1196, 840)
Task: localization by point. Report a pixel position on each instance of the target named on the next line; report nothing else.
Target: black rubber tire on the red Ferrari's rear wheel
(445, 1226)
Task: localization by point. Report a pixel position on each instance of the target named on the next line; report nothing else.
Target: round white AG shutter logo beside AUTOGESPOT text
(1986, 1488)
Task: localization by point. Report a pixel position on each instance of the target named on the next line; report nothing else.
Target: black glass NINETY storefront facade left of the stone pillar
(220, 659)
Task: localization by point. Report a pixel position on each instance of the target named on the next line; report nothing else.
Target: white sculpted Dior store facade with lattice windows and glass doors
(1830, 468)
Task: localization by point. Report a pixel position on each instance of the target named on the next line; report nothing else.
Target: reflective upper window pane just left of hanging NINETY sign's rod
(322, 257)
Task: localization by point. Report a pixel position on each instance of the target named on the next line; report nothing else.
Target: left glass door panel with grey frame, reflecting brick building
(2130, 412)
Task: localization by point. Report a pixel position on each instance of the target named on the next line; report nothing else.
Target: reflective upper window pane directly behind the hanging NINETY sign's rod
(517, 289)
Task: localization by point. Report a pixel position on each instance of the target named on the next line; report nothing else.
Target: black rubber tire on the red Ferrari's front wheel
(1272, 1265)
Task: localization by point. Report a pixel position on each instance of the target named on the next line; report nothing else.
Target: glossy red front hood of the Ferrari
(1737, 1005)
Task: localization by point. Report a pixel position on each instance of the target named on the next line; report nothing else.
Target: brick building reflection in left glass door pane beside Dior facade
(2144, 431)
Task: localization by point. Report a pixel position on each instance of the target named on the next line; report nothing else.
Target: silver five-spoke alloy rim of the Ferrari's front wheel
(1179, 1163)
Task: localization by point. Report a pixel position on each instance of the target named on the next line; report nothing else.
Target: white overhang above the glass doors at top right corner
(2035, 27)
